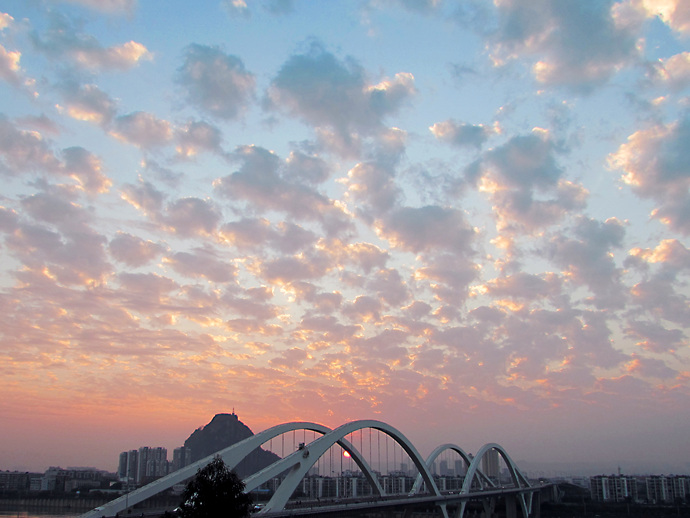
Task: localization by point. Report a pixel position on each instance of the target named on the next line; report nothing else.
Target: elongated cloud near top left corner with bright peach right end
(63, 39)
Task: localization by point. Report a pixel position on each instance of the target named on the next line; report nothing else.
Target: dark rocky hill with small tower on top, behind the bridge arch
(225, 430)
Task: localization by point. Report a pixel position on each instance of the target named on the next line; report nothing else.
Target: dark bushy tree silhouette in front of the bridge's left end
(215, 492)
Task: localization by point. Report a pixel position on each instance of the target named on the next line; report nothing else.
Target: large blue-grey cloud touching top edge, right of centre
(576, 44)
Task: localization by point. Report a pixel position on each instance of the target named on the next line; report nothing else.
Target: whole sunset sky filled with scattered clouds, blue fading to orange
(468, 219)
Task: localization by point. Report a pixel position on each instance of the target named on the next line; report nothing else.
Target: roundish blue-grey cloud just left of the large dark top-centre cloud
(215, 82)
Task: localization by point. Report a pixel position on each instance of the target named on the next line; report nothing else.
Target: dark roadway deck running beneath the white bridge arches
(400, 502)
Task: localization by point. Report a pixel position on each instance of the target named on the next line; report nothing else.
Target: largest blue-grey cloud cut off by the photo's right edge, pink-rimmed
(655, 165)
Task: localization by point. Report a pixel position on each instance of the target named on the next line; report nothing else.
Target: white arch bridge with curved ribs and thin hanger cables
(293, 467)
